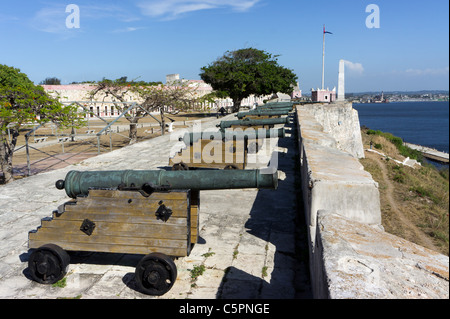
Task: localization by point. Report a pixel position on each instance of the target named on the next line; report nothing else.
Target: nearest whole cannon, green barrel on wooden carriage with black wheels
(150, 213)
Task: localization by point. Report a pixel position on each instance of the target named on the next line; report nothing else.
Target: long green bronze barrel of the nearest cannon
(78, 183)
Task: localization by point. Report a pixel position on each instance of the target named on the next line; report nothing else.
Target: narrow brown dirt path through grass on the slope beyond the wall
(412, 232)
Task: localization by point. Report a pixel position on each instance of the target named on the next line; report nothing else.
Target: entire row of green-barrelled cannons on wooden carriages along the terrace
(152, 212)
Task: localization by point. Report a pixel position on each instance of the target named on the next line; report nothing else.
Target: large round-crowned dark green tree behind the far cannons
(244, 72)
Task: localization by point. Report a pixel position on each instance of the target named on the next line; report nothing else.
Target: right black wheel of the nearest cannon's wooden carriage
(155, 274)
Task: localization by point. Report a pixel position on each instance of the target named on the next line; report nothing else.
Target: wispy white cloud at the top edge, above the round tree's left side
(171, 9)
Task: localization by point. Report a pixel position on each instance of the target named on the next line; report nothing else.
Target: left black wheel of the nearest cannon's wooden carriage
(48, 264)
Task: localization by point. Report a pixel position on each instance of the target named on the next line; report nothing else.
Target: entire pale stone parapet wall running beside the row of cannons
(350, 254)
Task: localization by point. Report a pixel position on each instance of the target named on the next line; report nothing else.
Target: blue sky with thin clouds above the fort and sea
(148, 39)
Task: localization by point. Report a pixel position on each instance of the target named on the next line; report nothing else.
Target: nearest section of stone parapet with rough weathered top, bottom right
(358, 261)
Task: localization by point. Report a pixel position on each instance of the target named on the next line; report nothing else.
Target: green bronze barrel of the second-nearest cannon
(238, 135)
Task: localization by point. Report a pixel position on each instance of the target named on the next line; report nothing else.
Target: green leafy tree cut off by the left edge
(21, 102)
